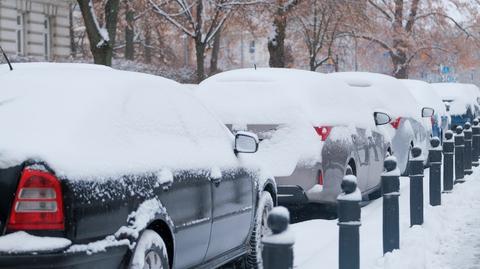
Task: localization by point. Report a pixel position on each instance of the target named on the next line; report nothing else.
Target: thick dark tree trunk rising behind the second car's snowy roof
(276, 45)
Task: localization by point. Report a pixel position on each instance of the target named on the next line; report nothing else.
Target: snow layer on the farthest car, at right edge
(459, 96)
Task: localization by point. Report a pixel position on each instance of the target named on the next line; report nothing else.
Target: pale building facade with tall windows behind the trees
(35, 28)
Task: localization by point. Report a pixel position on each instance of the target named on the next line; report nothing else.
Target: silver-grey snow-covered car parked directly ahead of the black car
(312, 128)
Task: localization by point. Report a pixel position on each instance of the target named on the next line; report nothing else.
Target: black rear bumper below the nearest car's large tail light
(112, 257)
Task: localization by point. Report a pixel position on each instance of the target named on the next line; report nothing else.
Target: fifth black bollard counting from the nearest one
(435, 182)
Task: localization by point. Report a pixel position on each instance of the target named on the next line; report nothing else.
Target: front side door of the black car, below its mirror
(233, 208)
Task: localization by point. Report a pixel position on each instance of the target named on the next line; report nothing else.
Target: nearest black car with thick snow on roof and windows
(102, 168)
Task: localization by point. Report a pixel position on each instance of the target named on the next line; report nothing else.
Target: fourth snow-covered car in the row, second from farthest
(426, 96)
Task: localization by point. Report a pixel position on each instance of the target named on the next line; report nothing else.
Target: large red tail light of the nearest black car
(38, 203)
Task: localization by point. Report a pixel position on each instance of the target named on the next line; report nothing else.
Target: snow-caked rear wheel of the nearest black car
(150, 252)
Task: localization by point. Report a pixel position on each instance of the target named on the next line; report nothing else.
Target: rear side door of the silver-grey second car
(362, 152)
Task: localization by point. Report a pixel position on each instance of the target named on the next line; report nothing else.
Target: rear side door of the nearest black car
(189, 205)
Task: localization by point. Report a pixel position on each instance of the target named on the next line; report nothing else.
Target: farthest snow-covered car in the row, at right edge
(461, 101)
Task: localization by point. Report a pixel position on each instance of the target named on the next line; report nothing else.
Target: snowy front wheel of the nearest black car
(260, 229)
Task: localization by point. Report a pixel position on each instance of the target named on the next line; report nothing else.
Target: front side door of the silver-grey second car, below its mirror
(378, 151)
